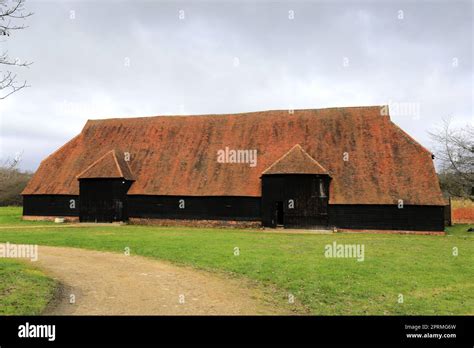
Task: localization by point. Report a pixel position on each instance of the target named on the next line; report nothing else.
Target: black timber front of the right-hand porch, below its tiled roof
(310, 209)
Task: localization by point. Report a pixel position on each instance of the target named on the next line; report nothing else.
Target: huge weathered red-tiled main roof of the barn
(176, 155)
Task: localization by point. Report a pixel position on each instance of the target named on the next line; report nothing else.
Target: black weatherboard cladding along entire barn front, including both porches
(310, 206)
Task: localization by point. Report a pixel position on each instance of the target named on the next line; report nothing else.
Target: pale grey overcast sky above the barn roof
(101, 59)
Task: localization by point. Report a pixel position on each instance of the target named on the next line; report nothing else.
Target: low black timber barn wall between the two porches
(211, 208)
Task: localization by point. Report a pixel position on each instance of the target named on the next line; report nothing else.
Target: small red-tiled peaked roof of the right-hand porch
(295, 161)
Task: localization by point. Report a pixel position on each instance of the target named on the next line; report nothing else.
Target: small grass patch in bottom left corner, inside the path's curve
(24, 290)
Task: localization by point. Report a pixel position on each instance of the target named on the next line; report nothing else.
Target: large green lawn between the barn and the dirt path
(425, 270)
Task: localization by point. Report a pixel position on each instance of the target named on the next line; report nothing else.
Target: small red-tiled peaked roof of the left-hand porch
(110, 165)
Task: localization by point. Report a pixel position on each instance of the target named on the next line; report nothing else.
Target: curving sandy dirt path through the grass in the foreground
(114, 284)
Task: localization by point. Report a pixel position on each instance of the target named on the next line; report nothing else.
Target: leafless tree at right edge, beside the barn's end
(455, 154)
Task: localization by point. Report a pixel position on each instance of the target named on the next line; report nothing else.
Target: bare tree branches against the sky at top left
(12, 16)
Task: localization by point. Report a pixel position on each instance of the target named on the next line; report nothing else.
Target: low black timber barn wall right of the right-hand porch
(387, 217)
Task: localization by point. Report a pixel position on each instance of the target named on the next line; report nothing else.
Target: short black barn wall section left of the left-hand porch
(50, 205)
